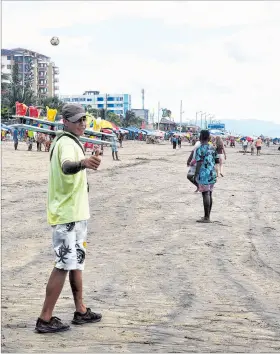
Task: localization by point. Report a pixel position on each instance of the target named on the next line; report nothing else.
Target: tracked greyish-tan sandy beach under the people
(162, 282)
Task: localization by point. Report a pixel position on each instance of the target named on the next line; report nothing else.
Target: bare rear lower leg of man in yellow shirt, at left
(53, 290)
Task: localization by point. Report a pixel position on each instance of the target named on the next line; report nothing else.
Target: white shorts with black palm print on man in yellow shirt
(69, 243)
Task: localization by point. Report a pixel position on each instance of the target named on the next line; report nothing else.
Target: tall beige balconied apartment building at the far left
(33, 66)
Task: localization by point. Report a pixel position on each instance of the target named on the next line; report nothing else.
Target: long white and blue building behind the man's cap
(118, 103)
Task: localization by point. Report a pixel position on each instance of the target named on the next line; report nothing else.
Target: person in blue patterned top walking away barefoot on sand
(205, 173)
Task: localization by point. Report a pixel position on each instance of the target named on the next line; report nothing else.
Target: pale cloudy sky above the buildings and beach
(219, 57)
